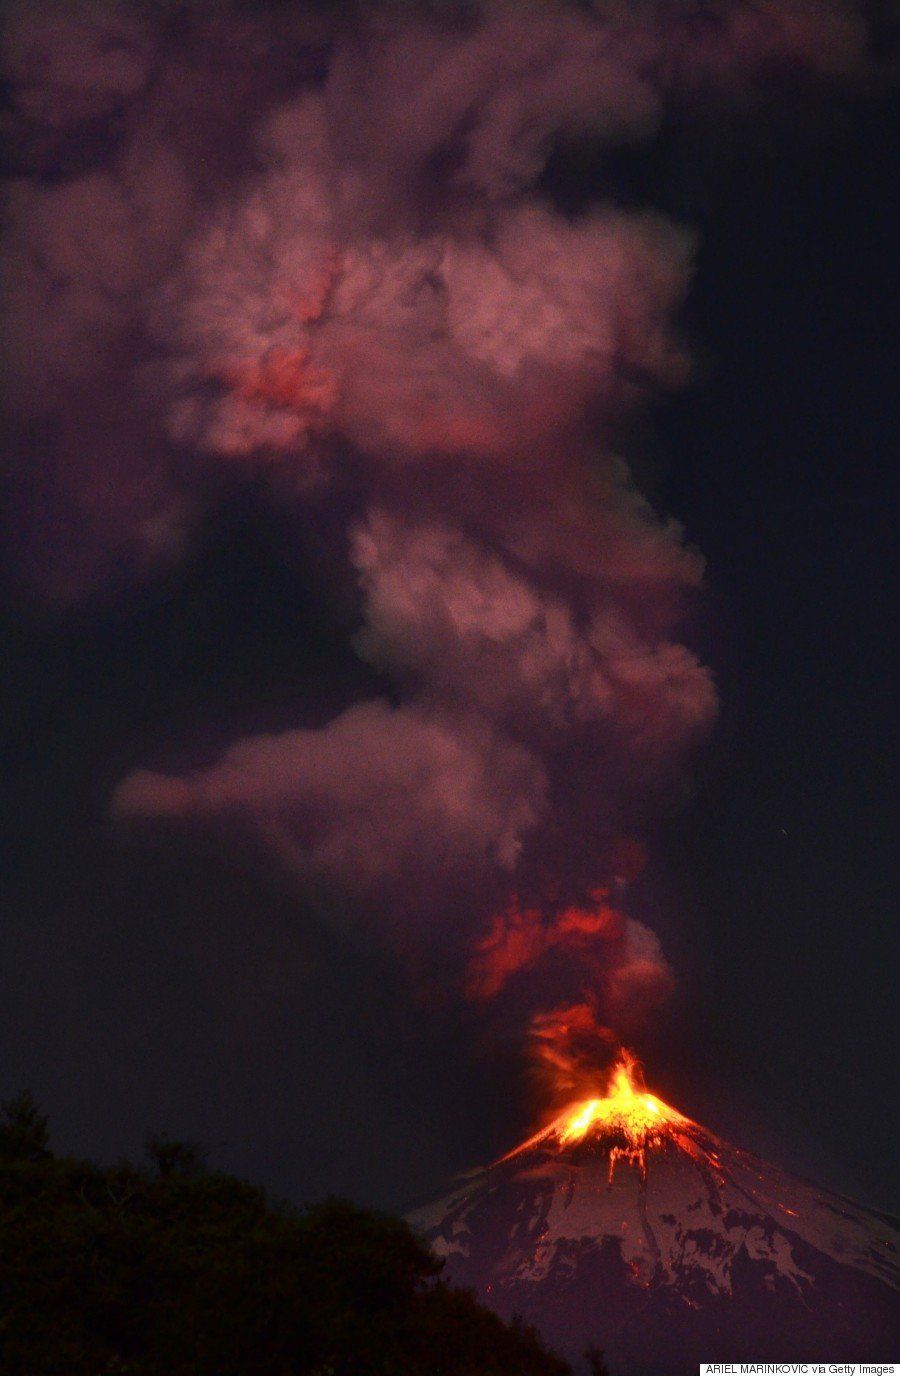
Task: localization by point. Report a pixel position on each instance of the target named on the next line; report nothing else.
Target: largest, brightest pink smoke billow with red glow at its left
(408, 347)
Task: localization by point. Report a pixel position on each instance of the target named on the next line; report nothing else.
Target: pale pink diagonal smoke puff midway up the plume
(473, 628)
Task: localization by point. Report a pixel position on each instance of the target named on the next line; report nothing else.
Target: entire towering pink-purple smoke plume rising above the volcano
(316, 248)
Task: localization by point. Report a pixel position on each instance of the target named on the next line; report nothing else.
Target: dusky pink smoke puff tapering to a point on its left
(379, 797)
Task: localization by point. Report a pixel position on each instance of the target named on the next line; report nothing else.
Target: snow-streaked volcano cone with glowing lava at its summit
(628, 1227)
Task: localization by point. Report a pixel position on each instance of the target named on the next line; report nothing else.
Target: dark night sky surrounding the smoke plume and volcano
(153, 979)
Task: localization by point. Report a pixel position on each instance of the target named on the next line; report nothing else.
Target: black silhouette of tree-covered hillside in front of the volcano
(177, 1271)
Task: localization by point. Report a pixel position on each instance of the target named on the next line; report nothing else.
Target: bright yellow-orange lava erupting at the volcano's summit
(627, 1119)
